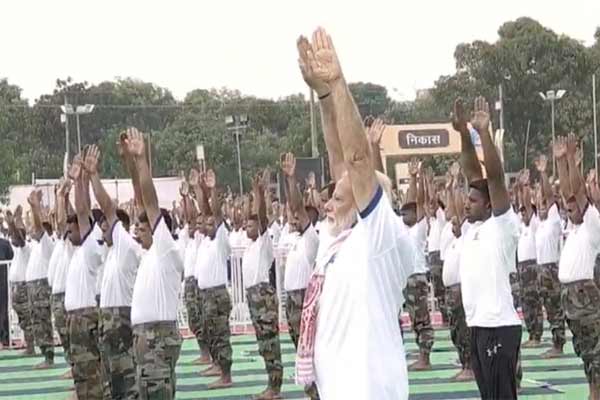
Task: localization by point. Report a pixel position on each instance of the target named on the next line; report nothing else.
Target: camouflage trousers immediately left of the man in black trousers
(459, 331)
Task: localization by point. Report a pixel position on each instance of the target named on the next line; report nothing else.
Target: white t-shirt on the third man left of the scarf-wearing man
(211, 266)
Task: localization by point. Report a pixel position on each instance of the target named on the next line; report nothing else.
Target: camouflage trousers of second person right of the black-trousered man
(550, 297)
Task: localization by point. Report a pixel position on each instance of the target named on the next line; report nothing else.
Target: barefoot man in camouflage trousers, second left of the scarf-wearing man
(261, 295)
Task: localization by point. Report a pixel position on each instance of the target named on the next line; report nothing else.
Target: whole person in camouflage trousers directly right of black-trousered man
(527, 269)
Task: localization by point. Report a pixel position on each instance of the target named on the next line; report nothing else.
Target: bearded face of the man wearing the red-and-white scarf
(340, 208)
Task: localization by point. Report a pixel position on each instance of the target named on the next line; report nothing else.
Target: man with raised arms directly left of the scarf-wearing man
(302, 254)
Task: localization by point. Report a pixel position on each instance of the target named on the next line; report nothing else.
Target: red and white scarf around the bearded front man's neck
(305, 367)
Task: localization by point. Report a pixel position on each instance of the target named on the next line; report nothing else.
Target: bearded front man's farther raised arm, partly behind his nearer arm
(328, 118)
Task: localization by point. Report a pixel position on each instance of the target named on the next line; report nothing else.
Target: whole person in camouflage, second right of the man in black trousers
(547, 244)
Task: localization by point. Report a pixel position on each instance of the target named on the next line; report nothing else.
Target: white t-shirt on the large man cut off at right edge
(581, 248)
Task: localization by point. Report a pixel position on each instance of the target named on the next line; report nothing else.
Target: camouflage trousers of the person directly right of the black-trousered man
(531, 304)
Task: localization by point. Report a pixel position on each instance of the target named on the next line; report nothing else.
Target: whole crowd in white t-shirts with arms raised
(357, 251)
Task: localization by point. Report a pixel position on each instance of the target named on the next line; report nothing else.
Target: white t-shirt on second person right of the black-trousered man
(548, 236)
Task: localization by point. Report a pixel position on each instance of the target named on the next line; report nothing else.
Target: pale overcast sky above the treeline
(250, 45)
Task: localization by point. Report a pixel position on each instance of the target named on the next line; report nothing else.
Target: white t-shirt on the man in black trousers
(486, 261)
